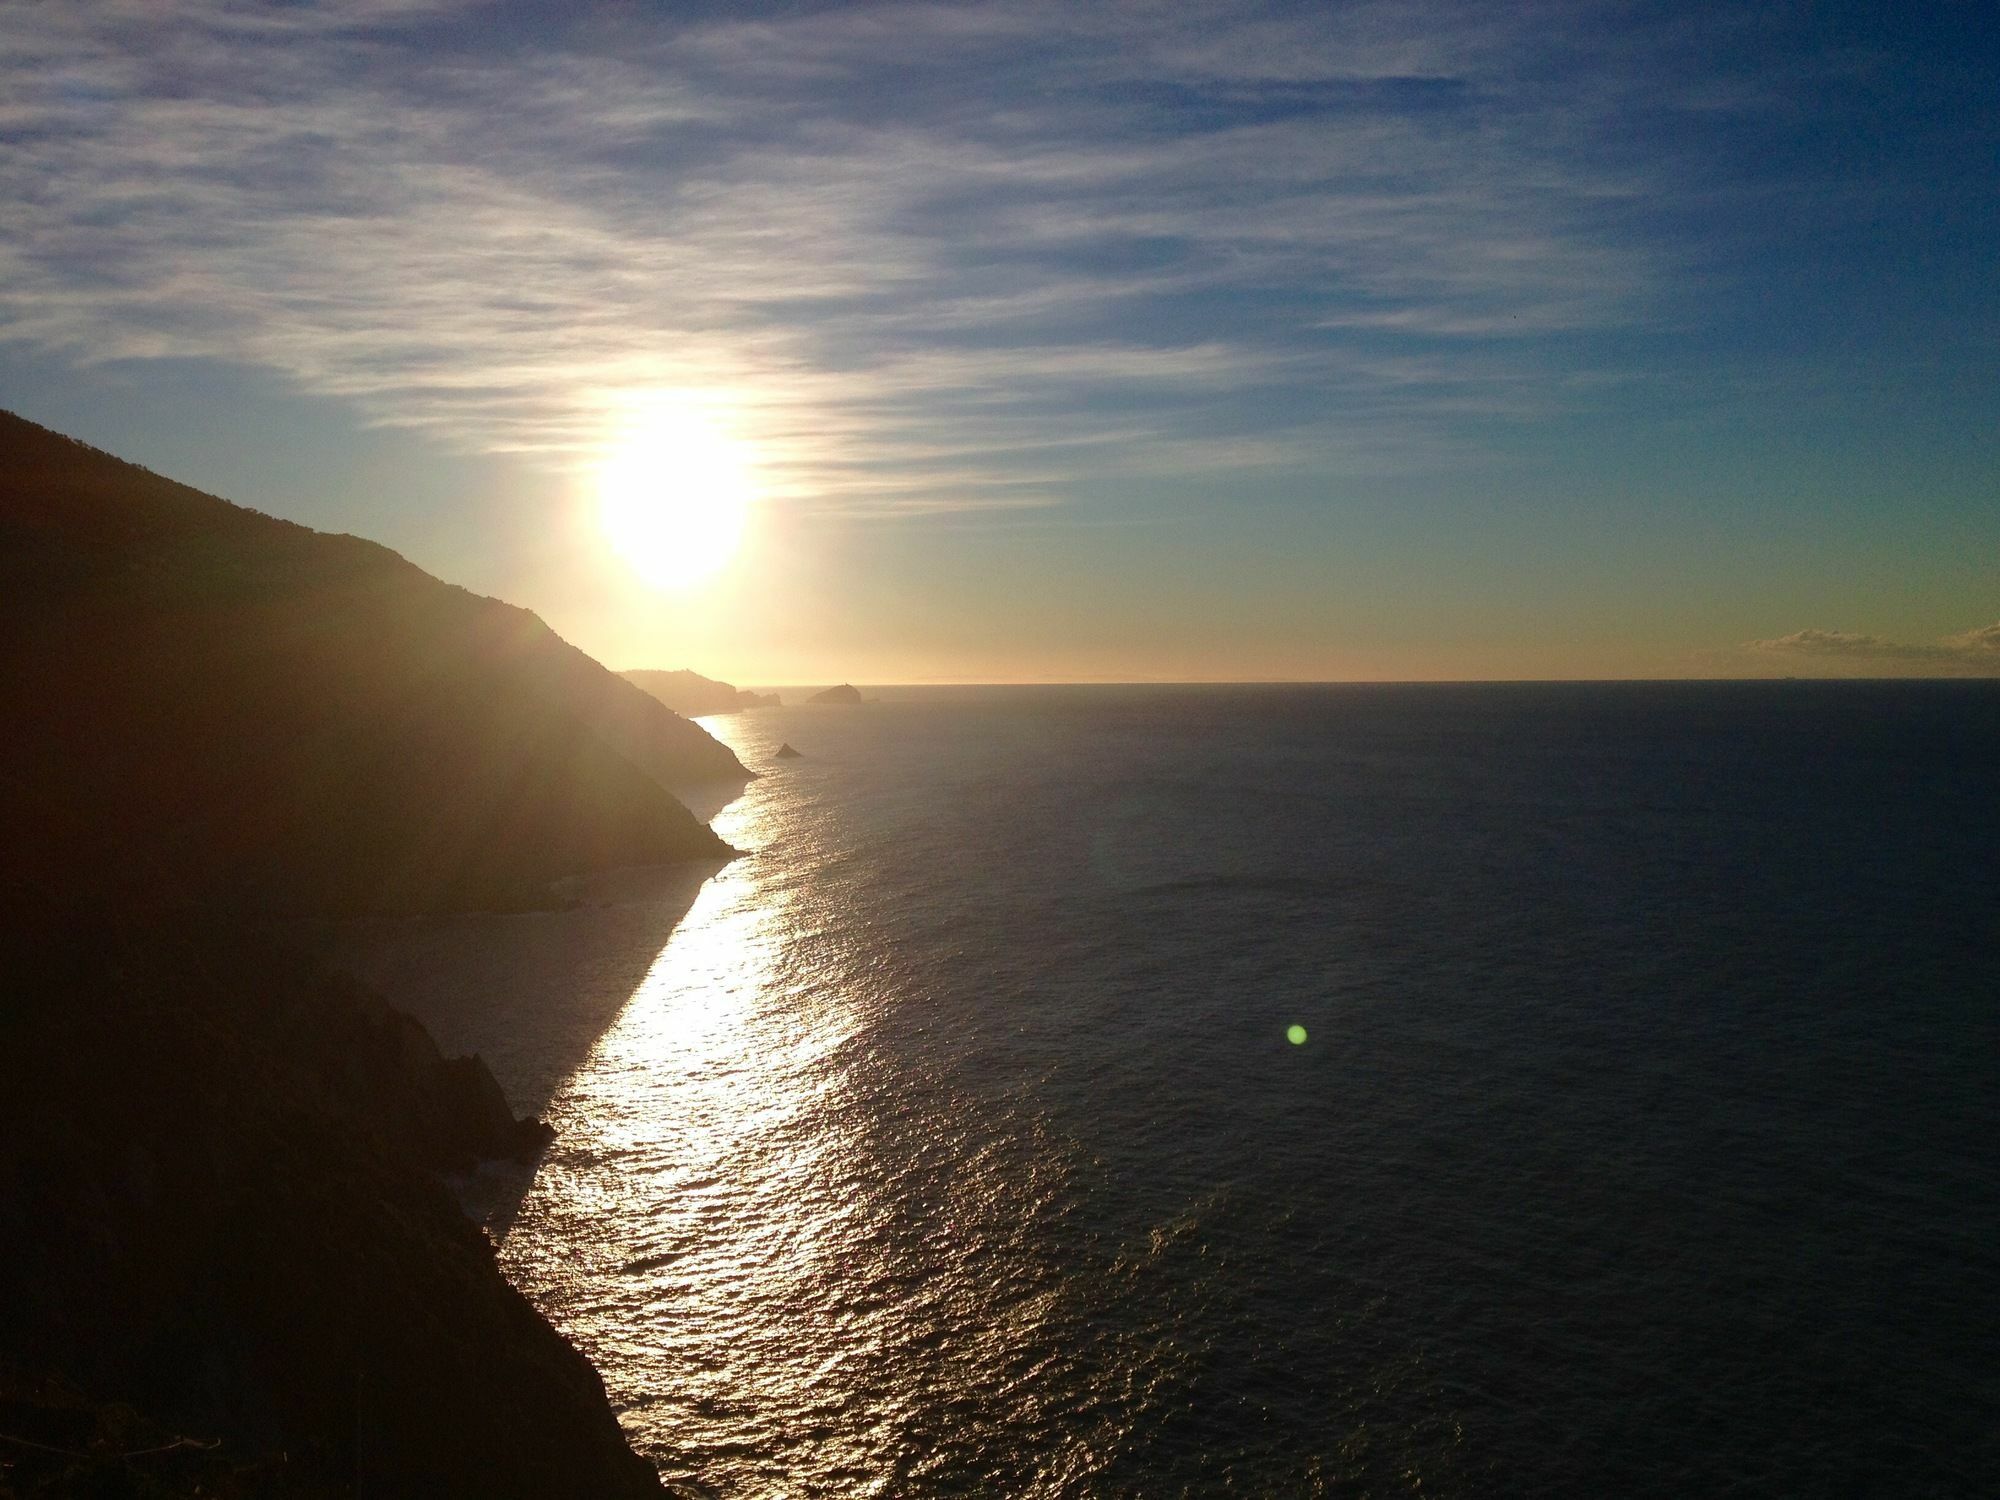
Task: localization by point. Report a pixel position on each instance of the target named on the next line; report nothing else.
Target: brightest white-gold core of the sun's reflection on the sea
(685, 1229)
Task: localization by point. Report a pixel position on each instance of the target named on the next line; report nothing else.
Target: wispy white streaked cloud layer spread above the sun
(935, 257)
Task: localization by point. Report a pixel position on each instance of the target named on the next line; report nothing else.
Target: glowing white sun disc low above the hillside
(675, 495)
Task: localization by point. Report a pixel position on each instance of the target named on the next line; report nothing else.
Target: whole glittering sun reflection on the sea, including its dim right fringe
(809, 1249)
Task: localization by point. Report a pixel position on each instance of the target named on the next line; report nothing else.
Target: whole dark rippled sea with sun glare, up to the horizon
(1641, 1143)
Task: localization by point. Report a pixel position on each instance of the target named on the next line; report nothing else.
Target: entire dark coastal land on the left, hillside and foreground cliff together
(227, 1261)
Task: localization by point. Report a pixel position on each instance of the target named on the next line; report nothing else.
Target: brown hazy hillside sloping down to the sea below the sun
(209, 705)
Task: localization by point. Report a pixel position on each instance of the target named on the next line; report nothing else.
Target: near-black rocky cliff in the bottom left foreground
(231, 1265)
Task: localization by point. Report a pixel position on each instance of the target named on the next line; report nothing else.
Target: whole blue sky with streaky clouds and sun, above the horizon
(1047, 341)
